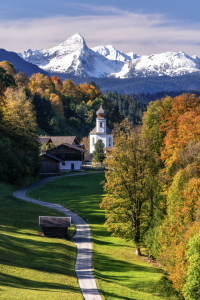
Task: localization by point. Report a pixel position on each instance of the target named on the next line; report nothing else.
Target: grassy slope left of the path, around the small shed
(32, 266)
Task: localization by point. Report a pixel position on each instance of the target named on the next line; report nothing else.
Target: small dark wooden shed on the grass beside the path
(55, 226)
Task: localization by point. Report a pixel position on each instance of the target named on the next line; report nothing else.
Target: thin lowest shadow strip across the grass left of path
(16, 282)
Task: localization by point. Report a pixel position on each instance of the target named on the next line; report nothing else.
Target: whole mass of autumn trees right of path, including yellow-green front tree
(153, 189)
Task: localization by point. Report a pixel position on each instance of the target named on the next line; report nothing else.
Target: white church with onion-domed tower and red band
(101, 131)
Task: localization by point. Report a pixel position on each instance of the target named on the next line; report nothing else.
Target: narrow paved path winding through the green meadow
(82, 239)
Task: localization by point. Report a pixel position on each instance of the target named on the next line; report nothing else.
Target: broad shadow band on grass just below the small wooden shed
(40, 255)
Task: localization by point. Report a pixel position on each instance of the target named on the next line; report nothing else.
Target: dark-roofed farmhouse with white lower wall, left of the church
(64, 157)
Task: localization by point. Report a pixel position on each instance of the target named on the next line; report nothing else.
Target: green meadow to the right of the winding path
(119, 273)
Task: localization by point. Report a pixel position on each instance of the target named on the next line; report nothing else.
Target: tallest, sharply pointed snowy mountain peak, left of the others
(72, 56)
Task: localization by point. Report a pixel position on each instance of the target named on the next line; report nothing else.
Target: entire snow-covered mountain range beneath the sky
(73, 57)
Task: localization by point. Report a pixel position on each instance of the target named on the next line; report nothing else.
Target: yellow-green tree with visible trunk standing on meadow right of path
(130, 179)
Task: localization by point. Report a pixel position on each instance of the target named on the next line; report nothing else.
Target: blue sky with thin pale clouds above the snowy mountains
(143, 27)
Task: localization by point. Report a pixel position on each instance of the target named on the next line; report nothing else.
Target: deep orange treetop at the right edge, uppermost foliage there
(180, 123)
